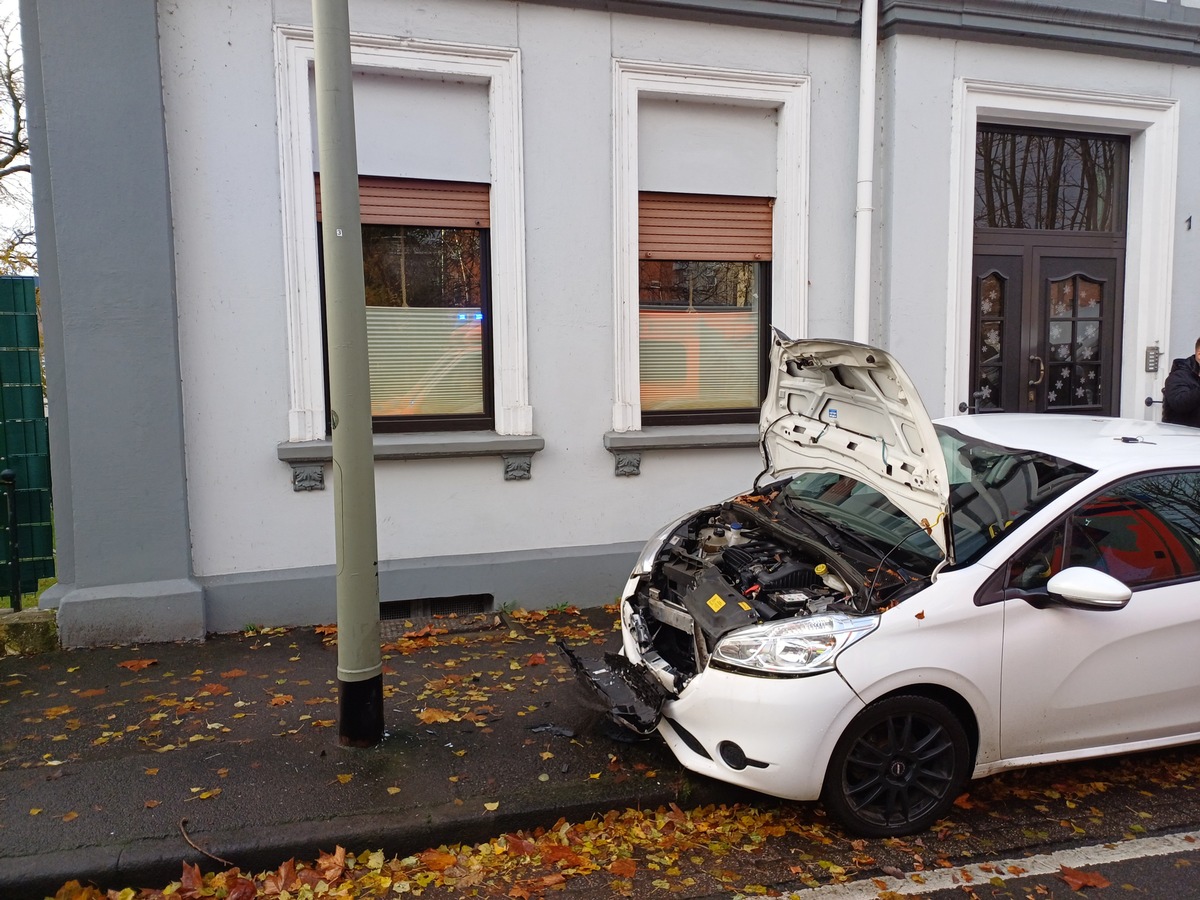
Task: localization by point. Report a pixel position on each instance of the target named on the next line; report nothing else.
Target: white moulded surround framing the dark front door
(1154, 128)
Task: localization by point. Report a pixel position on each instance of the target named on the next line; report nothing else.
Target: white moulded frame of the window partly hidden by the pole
(500, 69)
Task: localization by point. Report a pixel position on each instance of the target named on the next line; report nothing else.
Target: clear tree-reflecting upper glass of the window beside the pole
(413, 266)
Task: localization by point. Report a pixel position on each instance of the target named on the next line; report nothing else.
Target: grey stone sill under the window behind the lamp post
(309, 458)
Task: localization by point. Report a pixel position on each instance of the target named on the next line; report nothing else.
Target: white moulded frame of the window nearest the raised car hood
(789, 94)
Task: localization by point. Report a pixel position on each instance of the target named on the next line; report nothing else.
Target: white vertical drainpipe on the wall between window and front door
(863, 209)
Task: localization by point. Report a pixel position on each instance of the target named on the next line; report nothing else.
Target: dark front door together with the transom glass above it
(1048, 272)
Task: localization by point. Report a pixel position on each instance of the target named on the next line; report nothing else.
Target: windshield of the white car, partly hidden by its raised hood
(993, 489)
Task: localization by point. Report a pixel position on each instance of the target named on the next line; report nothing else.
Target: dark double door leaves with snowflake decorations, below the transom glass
(1047, 328)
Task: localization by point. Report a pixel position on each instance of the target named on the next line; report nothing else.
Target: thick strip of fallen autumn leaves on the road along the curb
(715, 851)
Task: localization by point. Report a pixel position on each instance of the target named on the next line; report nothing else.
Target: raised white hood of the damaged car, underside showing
(848, 409)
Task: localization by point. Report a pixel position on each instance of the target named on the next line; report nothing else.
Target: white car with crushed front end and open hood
(899, 605)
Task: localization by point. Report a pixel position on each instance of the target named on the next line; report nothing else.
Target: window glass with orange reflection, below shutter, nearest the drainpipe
(700, 326)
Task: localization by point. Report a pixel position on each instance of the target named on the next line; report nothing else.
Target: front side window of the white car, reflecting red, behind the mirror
(1142, 532)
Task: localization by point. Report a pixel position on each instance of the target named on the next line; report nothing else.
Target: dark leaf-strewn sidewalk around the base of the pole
(115, 763)
